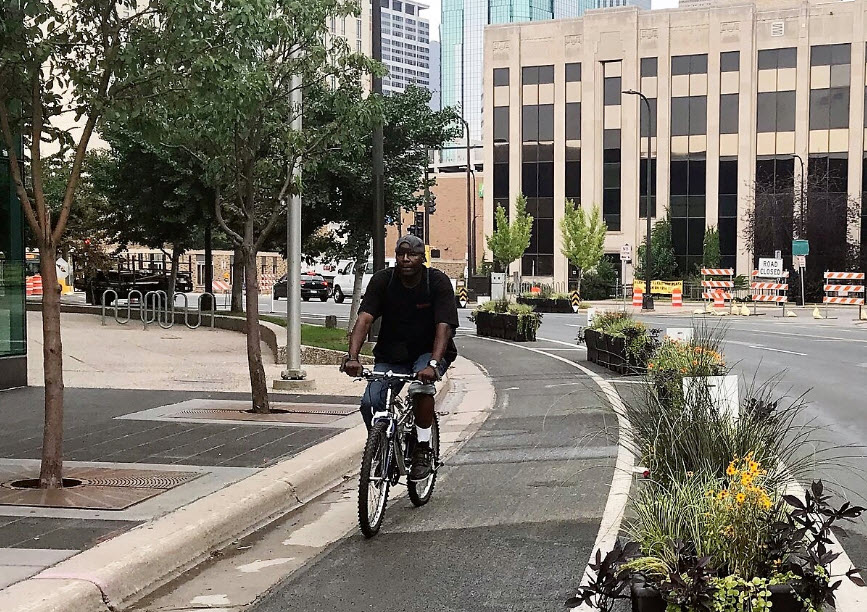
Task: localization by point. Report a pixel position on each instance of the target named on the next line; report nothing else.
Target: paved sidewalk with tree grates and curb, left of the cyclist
(155, 424)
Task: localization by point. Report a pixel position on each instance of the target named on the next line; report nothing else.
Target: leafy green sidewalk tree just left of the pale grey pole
(233, 112)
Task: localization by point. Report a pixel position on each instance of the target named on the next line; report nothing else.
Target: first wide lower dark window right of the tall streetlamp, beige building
(688, 192)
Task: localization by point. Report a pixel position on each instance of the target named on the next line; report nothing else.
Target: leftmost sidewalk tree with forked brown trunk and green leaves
(44, 73)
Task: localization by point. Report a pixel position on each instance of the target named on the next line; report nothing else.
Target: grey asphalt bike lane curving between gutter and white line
(514, 514)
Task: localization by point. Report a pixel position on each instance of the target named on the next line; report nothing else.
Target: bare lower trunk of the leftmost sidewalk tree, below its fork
(51, 472)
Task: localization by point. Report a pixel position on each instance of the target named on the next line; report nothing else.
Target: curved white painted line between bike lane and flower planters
(618, 494)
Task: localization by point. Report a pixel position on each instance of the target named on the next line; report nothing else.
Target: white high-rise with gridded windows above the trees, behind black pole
(405, 45)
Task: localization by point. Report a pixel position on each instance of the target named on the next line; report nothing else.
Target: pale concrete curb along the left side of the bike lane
(119, 571)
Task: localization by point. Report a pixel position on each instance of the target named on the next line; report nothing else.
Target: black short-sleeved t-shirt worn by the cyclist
(410, 314)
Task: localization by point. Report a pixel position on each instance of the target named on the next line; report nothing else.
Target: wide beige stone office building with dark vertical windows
(739, 94)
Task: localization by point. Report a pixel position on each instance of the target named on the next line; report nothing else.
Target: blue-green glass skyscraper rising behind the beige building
(462, 38)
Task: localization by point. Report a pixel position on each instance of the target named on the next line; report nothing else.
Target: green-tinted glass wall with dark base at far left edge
(13, 339)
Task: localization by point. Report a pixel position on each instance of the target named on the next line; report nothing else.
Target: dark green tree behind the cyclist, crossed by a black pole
(338, 186)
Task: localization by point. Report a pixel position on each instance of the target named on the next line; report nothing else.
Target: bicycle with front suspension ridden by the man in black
(387, 453)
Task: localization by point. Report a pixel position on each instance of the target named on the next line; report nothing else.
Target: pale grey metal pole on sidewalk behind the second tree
(293, 369)
